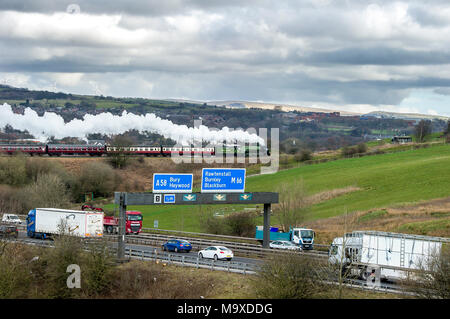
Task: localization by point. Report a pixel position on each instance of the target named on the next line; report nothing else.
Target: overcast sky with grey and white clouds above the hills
(353, 55)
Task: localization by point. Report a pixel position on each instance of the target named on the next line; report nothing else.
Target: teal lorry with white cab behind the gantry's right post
(303, 237)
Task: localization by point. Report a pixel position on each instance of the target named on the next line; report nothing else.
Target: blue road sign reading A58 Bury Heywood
(172, 183)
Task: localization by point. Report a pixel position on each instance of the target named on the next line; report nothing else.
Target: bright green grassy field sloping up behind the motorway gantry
(385, 180)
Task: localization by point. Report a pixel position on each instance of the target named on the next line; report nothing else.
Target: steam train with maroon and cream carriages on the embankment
(145, 150)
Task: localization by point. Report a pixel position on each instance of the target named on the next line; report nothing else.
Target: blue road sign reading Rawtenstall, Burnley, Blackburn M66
(227, 180)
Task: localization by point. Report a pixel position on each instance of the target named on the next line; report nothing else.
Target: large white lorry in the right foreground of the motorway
(360, 252)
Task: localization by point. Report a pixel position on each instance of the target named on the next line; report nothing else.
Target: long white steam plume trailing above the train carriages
(51, 124)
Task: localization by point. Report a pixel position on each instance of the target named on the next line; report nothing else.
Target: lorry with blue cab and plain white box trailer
(43, 222)
